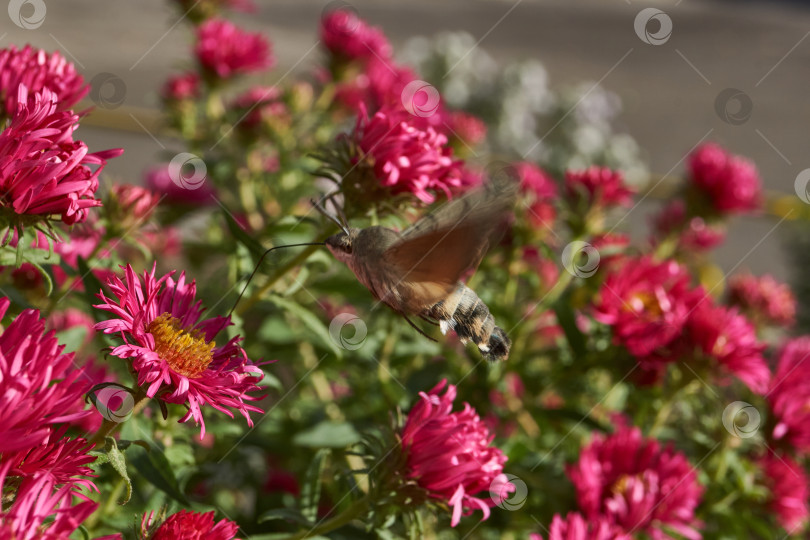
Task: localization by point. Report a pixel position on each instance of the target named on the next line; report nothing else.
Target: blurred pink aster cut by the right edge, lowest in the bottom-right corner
(789, 488)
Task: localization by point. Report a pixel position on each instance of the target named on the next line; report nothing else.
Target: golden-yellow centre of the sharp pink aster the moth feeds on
(187, 353)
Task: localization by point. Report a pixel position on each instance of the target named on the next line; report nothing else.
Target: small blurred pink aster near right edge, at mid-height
(763, 298)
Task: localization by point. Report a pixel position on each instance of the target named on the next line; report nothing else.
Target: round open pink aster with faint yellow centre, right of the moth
(647, 303)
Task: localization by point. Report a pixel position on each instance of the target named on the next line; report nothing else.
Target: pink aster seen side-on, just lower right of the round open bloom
(728, 338)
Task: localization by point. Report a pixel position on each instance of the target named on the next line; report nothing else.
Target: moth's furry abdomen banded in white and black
(465, 313)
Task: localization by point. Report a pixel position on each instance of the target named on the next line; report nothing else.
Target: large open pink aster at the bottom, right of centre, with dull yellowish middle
(640, 486)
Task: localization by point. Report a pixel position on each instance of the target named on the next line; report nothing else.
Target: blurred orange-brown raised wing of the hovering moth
(433, 254)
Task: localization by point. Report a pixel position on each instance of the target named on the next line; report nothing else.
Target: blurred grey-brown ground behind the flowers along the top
(730, 72)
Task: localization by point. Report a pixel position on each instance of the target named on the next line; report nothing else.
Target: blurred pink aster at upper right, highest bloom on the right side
(731, 183)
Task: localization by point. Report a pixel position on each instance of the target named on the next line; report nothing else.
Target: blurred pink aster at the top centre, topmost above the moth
(349, 37)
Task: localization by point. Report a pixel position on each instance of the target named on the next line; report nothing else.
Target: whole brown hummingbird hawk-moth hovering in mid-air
(418, 271)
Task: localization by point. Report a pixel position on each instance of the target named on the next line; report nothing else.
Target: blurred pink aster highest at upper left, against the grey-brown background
(226, 50)
